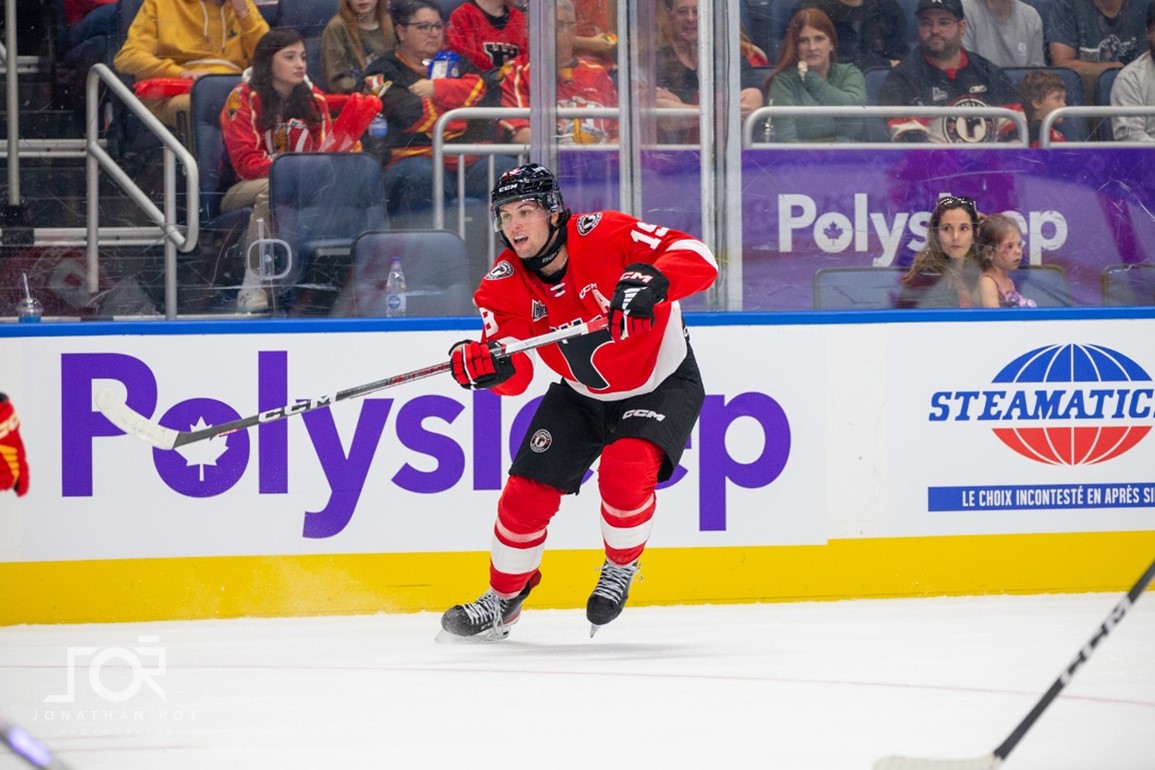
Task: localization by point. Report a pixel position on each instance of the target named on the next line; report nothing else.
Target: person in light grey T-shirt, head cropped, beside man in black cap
(1009, 33)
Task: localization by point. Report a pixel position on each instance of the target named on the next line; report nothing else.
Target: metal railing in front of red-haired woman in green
(759, 116)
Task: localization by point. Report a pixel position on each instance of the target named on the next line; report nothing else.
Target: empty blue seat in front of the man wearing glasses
(321, 204)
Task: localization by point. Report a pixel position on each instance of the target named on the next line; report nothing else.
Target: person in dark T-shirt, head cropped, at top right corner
(1091, 36)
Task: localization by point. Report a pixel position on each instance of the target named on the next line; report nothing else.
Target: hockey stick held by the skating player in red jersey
(131, 422)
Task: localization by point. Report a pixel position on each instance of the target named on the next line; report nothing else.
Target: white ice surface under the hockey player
(793, 686)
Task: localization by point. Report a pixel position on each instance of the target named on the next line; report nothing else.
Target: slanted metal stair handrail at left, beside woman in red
(167, 221)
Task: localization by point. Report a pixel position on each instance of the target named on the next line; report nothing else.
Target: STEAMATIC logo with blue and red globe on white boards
(1061, 405)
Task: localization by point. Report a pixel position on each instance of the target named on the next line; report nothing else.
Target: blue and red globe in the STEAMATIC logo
(1096, 377)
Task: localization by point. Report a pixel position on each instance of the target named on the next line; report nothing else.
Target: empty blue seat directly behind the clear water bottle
(437, 274)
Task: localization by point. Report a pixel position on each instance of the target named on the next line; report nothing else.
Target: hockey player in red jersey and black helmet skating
(630, 394)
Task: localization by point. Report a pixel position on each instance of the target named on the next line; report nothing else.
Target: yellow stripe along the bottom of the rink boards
(232, 587)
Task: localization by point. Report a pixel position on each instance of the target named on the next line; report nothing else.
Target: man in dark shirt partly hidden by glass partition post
(676, 76)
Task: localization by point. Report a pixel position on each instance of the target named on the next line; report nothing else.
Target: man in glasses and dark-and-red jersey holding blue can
(413, 103)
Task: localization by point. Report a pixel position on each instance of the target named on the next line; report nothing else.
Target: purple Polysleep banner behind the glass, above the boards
(1084, 211)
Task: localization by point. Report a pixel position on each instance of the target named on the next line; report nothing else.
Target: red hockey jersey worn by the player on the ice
(517, 305)
